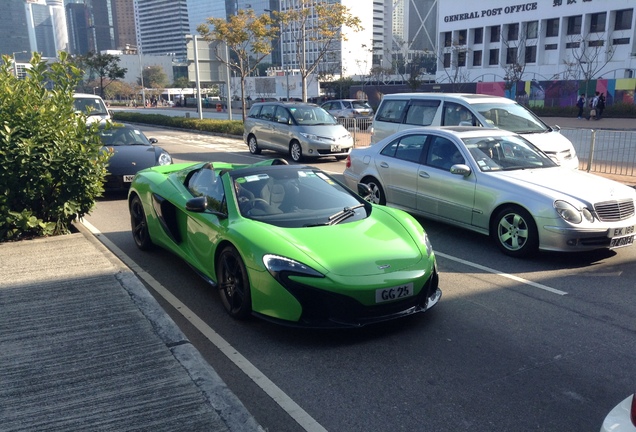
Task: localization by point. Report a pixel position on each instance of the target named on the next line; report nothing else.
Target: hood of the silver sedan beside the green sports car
(555, 182)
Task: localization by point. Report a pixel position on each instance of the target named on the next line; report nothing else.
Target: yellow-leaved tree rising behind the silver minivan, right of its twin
(319, 24)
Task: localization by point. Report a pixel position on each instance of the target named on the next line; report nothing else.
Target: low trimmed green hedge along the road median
(226, 127)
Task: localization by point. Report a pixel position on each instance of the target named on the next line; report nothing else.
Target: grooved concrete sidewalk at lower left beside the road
(84, 346)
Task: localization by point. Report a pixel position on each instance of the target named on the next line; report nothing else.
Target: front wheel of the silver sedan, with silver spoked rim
(515, 232)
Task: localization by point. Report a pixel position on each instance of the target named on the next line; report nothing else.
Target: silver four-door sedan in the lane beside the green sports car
(498, 183)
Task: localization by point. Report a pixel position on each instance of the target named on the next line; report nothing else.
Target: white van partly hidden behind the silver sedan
(408, 110)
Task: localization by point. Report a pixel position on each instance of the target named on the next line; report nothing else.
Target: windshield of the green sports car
(295, 197)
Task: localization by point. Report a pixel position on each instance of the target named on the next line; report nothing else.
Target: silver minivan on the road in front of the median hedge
(300, 129)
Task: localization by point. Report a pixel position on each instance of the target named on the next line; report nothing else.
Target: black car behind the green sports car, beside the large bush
(132, 151)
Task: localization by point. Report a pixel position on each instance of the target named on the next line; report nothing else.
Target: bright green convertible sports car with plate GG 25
(287, 243)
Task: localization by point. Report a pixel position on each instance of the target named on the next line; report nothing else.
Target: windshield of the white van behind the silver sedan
(510, 116)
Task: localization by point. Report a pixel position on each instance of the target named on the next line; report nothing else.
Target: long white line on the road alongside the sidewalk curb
(272, 390)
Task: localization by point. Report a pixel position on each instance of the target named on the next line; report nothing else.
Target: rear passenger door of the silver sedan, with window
(397, 165)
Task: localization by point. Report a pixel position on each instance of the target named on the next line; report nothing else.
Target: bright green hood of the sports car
(372, 246)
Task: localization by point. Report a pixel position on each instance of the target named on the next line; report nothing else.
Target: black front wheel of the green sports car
(234, 285)
